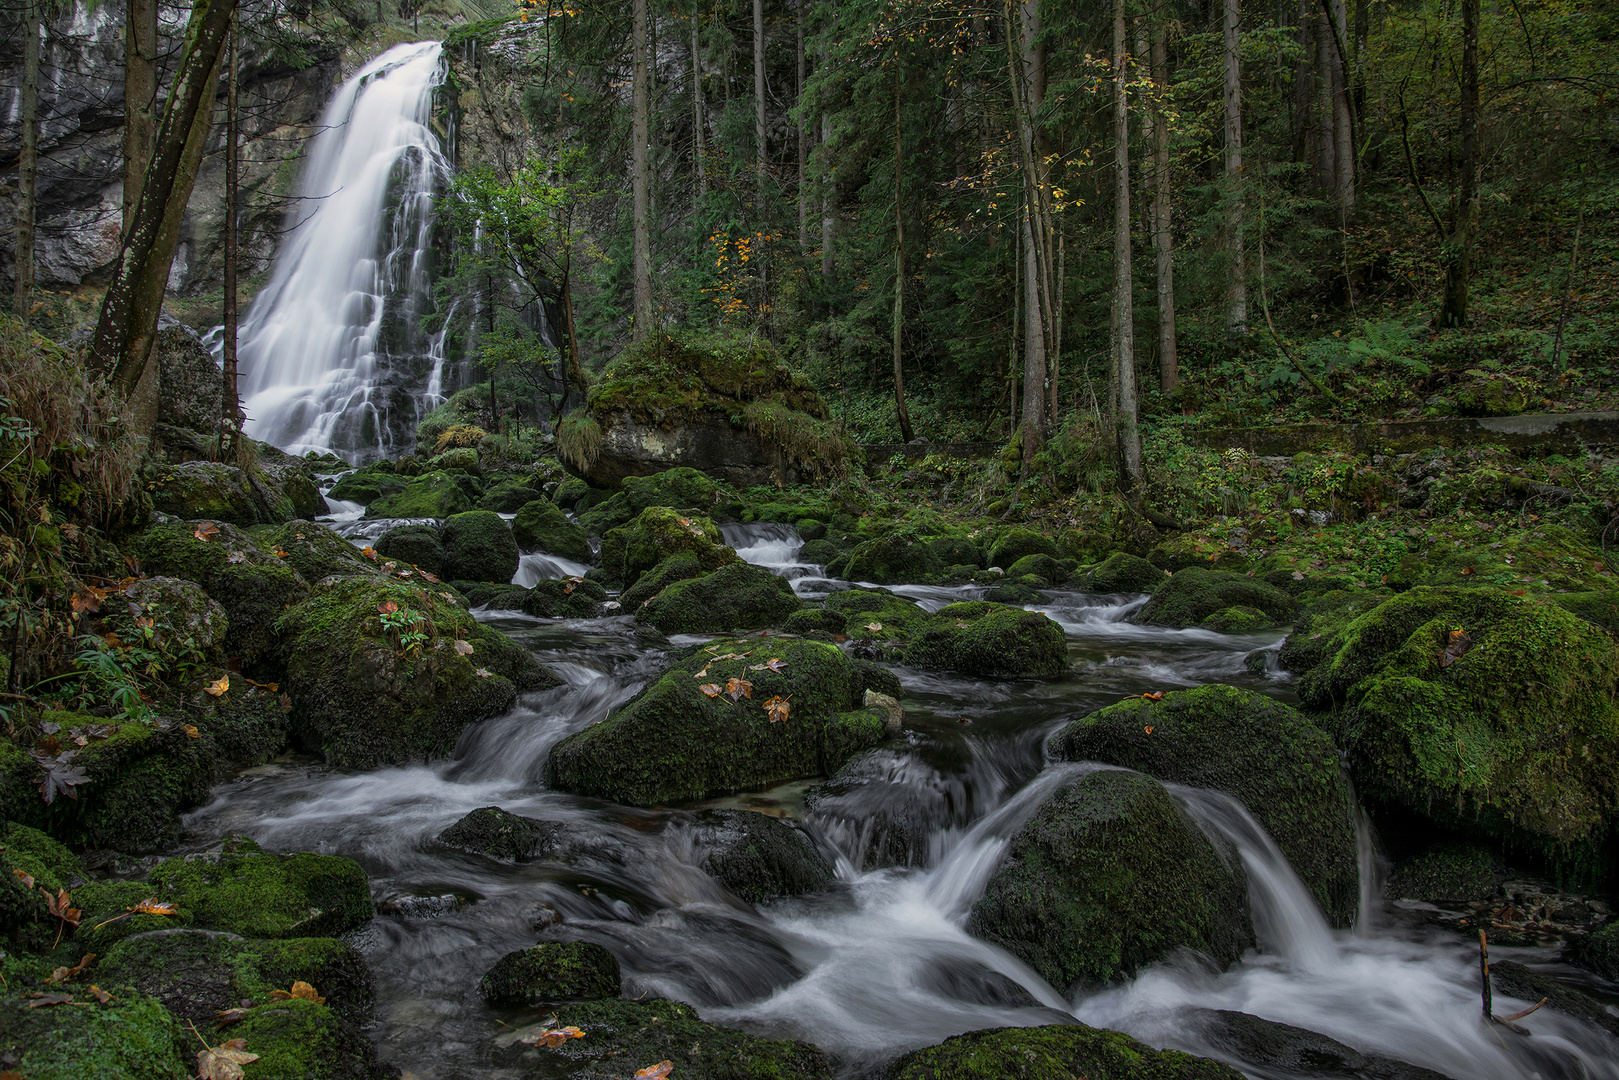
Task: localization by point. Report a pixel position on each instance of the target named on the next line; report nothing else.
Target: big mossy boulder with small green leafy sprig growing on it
(376, 678)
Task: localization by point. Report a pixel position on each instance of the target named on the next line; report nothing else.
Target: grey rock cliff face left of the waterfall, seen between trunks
(283, 88)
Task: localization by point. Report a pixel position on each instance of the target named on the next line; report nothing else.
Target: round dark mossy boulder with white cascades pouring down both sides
(1108, 877)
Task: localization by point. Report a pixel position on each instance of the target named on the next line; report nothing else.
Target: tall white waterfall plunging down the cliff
(333, 354)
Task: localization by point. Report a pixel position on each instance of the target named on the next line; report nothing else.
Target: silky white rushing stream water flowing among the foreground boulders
(878, 964)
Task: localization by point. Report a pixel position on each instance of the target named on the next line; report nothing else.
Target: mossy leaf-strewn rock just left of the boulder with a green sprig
(250, 584)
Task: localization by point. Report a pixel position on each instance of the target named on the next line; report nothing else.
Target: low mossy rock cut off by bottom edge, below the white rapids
(1053, 1053)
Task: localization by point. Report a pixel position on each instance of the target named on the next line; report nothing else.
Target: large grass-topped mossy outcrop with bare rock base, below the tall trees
(725, 406)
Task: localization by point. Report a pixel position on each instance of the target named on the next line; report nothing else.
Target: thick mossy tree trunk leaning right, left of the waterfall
(135, 299)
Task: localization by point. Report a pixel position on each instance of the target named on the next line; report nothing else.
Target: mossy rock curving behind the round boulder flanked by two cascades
(1270, 757)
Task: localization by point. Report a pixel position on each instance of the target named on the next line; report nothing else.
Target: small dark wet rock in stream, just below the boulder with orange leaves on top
(760, 857)
